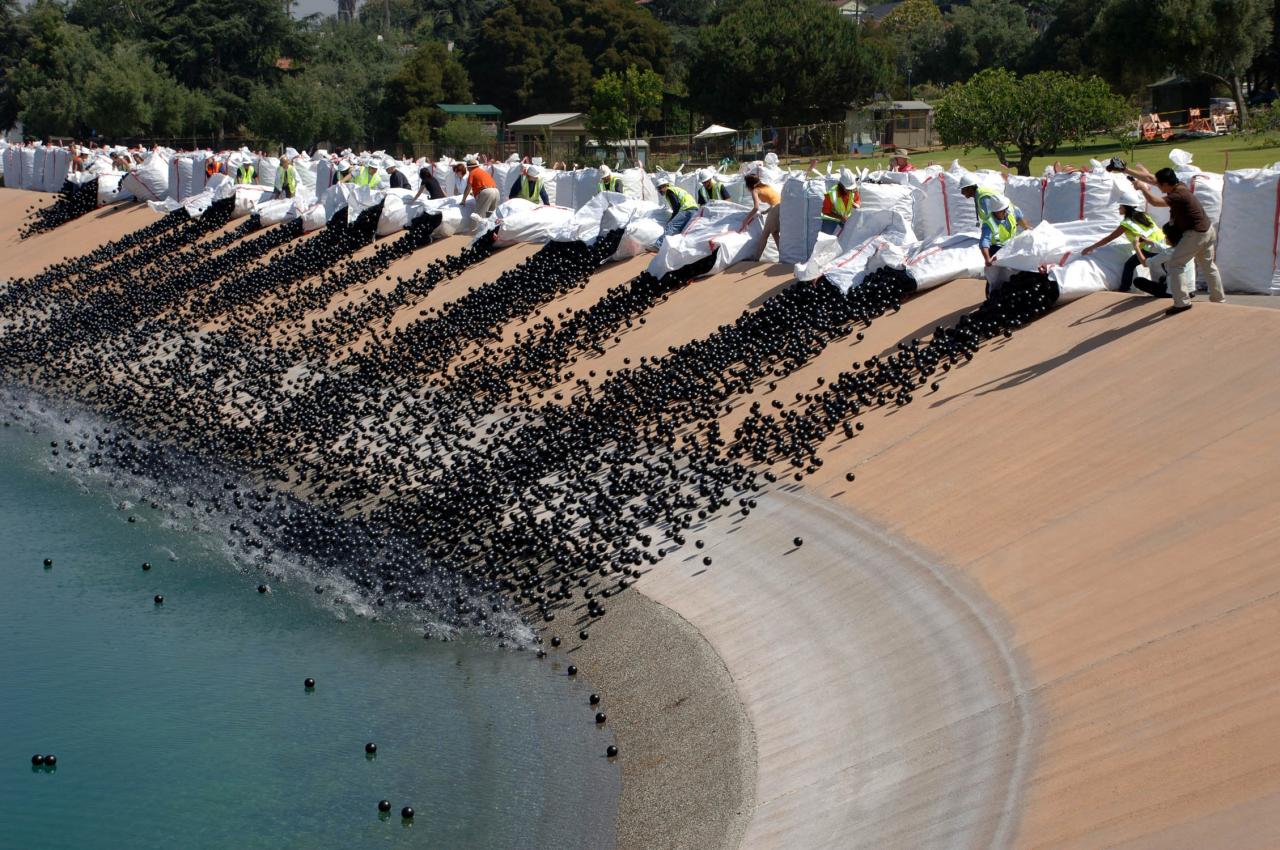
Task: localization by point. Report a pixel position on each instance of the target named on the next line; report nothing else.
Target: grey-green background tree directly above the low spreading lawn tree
(985, 34)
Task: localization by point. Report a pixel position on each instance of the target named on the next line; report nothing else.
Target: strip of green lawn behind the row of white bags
(1217, 154)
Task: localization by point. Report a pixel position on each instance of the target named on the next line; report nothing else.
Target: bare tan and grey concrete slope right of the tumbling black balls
(1045, 613)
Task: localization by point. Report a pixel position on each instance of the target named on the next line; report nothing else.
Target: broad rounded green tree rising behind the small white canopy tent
(784, 63)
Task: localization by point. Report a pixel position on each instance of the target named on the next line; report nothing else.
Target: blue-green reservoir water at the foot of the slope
(188, 725)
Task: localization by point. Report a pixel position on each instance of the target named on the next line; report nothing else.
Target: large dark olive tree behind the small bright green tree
(542, 56)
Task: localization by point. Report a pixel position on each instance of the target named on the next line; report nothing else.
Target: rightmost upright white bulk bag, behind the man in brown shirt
(1249, 235)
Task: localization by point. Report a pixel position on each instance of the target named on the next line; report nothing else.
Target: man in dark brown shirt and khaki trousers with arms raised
(1196, 240)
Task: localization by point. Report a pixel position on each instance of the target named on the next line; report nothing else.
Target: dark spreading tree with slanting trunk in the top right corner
(1214, 39)
